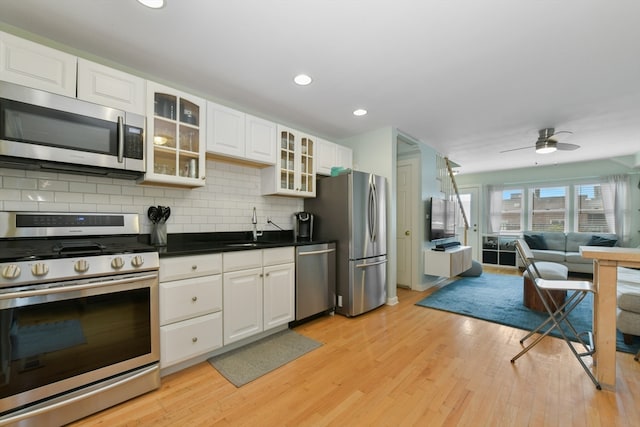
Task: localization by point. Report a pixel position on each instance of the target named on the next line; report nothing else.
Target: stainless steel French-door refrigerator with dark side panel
(351, 209)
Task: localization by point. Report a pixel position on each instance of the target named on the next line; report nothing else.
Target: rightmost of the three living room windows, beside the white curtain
(589, 209)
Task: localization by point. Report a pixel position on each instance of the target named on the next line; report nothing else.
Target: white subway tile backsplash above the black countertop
(224, 204)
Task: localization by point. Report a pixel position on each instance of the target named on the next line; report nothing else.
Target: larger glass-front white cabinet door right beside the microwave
(175, 137)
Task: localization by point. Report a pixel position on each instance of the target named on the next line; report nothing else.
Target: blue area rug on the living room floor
(498, 298)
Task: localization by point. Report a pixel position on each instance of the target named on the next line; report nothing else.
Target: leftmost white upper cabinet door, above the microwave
(30, 64)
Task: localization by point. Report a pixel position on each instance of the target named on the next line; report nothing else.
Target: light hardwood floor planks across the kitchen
(399, 365)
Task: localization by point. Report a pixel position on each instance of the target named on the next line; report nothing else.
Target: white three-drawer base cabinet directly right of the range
(190, 307)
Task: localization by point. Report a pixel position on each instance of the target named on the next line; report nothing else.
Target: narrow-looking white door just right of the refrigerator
(404, 223)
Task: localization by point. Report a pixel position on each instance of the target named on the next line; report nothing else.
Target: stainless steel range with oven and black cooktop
(79, 327)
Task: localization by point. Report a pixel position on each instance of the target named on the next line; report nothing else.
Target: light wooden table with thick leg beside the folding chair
(605, 278)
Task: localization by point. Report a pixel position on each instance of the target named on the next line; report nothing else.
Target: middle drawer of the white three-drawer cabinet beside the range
(187, 298)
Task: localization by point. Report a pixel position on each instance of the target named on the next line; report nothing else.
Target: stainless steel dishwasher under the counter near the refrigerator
(315, 279)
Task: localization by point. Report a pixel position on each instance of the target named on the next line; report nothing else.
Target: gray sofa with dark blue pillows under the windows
(563, 248)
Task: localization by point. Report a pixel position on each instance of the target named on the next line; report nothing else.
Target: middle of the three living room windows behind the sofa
(548, 208)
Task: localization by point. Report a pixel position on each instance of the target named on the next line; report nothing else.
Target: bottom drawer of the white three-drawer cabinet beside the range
(190, 338)
